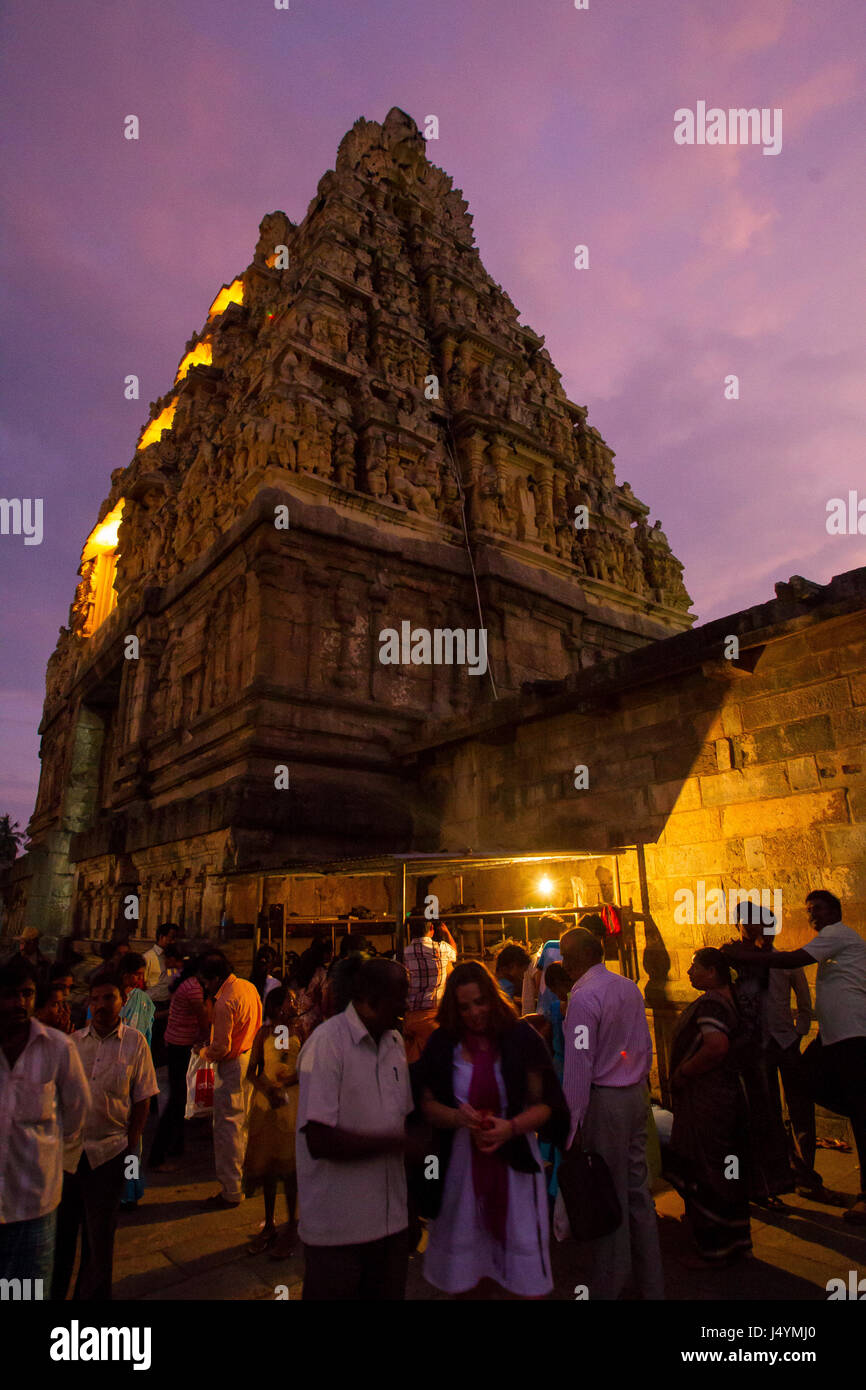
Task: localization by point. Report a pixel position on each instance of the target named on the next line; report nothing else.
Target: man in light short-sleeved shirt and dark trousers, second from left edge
(116, 1060)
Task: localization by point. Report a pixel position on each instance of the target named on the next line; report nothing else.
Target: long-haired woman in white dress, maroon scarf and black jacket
(487, 1085)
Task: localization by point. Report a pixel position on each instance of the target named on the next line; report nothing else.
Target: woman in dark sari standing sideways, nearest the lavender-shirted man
(707, 1159)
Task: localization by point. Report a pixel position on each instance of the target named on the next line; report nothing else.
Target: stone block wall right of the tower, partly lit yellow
(736, 775)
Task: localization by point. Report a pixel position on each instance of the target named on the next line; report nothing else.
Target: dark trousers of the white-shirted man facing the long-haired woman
(373, 1273)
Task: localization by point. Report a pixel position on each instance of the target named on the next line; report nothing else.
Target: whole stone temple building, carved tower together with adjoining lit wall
(365, 439)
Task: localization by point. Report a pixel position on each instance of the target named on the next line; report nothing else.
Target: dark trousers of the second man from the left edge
(91, 1203)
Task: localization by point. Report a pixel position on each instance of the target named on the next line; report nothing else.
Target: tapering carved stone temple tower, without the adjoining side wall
(362, 436)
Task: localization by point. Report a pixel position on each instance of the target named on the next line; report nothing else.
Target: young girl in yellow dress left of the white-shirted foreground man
(270, 1150)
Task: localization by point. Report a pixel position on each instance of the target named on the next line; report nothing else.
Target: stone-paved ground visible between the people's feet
(172, 1250)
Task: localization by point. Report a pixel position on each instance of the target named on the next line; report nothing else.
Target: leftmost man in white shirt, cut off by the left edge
(44, 1100)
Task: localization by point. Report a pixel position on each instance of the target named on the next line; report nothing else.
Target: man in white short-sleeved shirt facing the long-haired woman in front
(355, 1097)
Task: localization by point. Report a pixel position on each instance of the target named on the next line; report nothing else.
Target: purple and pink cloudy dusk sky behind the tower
(558, 126)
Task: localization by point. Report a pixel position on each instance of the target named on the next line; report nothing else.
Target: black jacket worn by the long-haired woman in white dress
(521, 1052)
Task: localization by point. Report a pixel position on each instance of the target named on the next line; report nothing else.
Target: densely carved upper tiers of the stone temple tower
(386, 288)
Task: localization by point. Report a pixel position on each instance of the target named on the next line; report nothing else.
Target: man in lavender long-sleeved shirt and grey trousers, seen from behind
(608, 1060)
